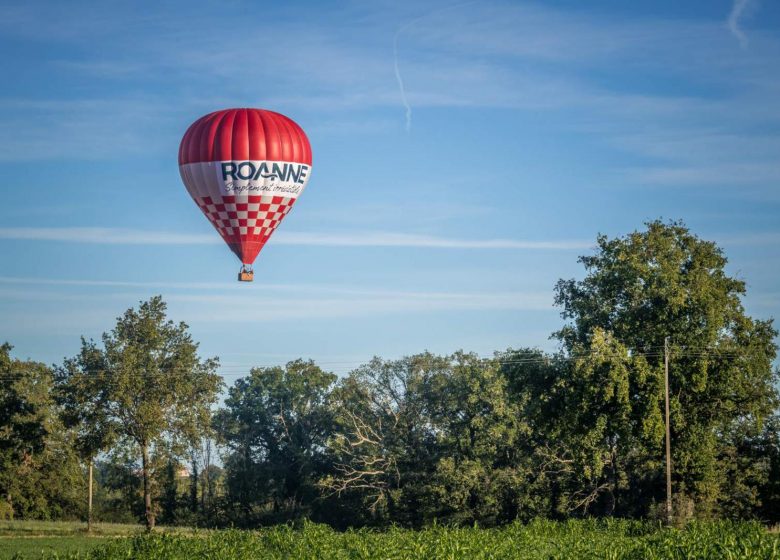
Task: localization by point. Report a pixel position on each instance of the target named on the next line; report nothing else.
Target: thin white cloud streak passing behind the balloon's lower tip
(111, 236)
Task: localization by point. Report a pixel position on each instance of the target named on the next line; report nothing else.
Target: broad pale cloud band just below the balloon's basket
(207, 305)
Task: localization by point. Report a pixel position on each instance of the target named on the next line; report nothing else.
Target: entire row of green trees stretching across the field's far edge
(457, 439)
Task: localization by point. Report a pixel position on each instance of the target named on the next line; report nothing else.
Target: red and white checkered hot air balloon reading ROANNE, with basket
(245, 168)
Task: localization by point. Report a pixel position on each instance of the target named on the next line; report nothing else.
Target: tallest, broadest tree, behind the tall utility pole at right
(666, 282)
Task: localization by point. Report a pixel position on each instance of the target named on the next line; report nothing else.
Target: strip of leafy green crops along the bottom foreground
(613, 539)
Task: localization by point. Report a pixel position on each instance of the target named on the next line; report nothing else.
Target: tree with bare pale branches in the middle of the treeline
(384, 447)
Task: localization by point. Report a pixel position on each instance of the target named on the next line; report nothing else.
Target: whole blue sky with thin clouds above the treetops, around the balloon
(465, 153)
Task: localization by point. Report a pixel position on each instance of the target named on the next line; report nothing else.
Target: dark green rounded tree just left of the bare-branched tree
(275, 424)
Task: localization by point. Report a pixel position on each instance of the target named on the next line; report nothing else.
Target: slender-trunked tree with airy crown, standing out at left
(146, 384)
